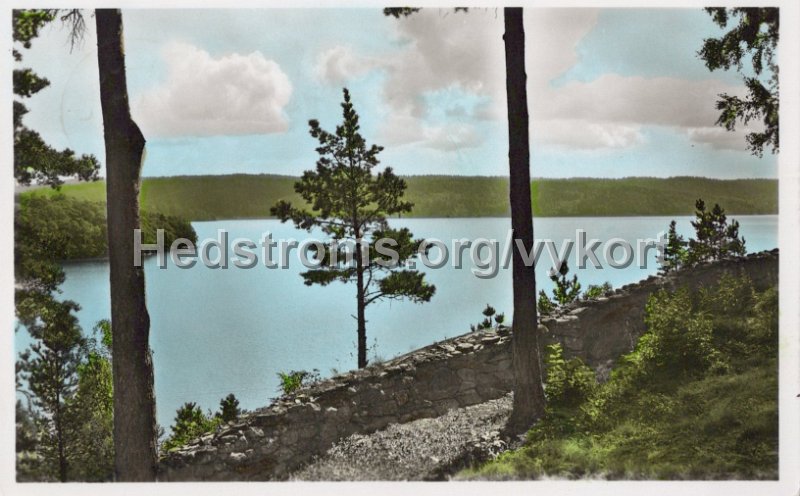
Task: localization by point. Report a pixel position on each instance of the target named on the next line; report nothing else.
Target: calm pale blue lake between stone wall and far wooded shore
(220, 331)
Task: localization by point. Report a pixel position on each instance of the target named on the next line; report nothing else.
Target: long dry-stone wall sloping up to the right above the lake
(271, 442)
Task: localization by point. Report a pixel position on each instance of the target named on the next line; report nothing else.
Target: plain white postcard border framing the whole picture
(789, 241)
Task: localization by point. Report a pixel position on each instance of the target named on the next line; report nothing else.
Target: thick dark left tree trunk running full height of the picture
(134, 403)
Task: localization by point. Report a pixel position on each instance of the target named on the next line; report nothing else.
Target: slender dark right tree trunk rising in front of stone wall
(528, 390)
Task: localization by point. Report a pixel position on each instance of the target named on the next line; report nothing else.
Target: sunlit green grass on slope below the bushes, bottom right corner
(714, 428)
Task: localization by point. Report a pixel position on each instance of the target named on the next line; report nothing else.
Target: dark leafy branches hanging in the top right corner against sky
(755, 36)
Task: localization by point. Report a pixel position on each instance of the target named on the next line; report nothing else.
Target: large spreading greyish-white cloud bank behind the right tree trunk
(441, 50)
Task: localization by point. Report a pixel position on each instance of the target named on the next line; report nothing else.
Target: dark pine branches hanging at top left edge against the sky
(34, 160)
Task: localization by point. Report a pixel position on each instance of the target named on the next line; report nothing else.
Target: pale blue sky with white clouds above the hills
(612, 92)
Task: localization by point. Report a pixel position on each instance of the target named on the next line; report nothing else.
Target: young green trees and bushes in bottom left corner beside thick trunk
(68, 379)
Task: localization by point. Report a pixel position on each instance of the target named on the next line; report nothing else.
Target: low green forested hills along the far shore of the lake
(242, 196)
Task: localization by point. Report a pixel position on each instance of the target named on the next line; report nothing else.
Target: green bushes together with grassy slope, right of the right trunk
(696, 399)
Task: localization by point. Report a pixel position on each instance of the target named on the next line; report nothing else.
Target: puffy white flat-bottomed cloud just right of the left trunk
(205, 96)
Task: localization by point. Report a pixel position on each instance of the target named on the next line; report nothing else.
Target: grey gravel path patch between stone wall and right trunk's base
(425, 449)
